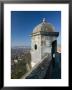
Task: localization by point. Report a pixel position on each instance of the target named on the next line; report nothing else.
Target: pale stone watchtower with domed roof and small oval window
(43, 42)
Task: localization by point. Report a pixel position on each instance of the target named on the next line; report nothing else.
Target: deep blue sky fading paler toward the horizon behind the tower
(23, 23)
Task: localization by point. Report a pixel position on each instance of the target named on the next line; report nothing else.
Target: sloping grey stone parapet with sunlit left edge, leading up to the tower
(39, 70)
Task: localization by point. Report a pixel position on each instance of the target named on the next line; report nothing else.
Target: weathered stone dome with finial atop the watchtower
(44, 26)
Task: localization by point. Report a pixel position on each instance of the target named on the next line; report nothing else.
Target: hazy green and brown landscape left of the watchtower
(23, 57)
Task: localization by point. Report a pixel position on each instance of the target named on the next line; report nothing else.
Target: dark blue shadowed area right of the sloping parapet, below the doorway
(54, 69)
